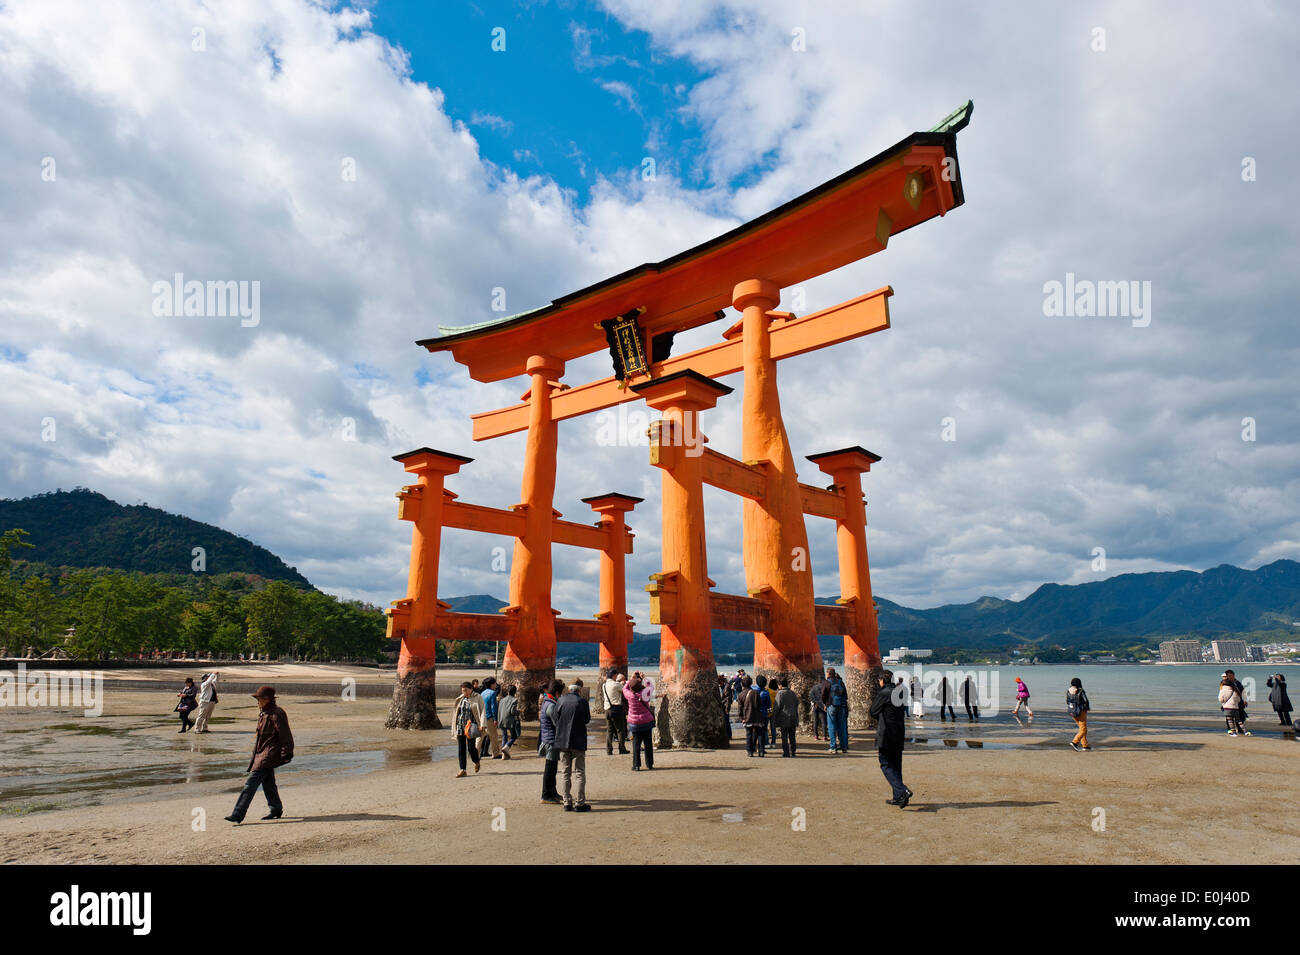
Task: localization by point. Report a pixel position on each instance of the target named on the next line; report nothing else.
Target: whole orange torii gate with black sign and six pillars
(636, 315)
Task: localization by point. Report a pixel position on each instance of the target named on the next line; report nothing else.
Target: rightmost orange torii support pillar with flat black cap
(863, 649)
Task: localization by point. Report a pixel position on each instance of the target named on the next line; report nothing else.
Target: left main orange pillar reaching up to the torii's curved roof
(531, 656)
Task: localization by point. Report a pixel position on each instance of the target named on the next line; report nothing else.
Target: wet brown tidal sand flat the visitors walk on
(127, 788)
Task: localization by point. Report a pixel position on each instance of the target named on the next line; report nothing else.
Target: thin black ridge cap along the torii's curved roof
(946, 140)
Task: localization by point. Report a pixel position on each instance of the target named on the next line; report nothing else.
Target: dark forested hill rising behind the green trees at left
(85, 529)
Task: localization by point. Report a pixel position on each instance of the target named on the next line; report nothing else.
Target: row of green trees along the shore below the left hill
(115, 614)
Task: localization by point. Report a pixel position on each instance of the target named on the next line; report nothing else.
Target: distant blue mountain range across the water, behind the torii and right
(1112, 613)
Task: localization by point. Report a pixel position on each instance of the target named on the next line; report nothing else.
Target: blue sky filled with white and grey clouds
(379, 170)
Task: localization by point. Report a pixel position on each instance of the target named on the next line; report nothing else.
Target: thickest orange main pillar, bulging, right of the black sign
(777, 542)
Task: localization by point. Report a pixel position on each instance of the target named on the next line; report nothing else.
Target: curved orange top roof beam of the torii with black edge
(831, 225)
